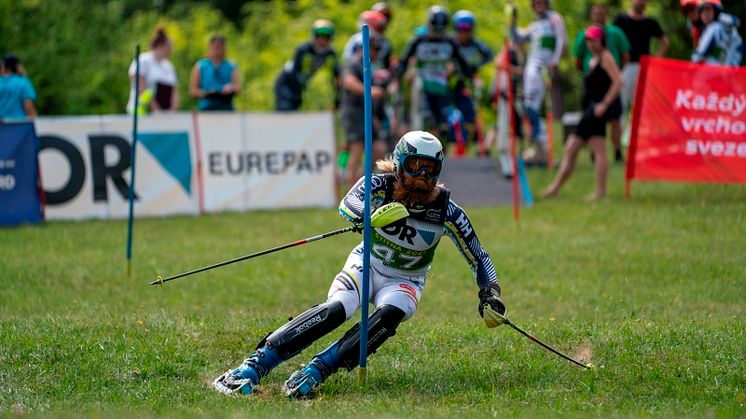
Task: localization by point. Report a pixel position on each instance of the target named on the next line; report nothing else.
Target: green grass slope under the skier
(652, 291)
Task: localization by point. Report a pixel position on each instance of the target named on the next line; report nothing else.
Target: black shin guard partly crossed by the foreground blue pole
(382, 324)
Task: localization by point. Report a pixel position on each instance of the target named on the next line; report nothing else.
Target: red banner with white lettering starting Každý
(688, 123)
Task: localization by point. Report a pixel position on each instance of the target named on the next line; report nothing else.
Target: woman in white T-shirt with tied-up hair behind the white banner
(158, 89)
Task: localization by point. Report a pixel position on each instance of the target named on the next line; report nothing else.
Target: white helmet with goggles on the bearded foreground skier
(419, 151)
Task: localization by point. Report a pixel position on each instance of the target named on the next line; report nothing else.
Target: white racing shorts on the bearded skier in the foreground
(400, 289)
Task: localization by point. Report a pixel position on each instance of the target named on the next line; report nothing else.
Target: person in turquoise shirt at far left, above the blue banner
(17, 94)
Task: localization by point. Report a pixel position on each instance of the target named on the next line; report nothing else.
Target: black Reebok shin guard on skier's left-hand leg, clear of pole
(300, 332)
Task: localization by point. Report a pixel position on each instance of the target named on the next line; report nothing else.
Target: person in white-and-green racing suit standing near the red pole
(548, 38)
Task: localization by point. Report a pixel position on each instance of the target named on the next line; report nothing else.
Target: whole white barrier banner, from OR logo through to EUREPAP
(249, 161)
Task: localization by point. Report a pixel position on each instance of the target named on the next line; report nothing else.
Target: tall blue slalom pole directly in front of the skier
(368, 125)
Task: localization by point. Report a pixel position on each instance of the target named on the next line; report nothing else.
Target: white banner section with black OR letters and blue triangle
(86, 170)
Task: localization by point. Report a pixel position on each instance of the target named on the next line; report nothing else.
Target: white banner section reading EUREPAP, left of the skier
(273, 160)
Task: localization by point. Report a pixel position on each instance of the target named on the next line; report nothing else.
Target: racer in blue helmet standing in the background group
(476, 54)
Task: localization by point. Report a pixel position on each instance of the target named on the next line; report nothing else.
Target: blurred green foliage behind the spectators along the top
(77, 51)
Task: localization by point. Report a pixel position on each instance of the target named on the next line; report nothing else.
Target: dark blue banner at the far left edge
(19, 189)
